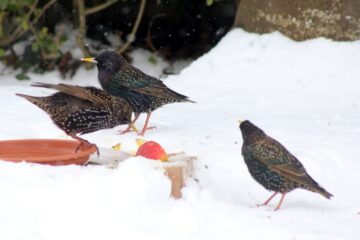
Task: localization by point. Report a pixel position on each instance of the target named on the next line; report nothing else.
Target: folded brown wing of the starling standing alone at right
(277, 158)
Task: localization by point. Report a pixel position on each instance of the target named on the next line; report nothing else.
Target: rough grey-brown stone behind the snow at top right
(301, 19)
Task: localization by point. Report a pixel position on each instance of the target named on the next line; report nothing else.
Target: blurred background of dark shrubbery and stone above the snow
(45, 35)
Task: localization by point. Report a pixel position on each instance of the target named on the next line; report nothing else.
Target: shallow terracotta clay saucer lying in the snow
(45, 151)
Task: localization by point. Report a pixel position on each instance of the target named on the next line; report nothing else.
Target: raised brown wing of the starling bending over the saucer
(86, 93)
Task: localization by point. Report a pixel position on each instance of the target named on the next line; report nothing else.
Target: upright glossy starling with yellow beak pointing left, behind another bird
(143, 92)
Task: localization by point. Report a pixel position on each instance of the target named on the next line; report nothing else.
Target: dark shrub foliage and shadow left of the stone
(173, 29)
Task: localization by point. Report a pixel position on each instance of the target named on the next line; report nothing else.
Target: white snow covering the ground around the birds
(304, 94)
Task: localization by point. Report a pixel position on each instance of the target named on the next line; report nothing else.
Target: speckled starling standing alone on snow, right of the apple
(273, 166)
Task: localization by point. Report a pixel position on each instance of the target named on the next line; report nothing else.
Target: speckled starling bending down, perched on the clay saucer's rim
(81, 110)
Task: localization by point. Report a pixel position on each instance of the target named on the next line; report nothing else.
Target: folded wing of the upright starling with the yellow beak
(140, 82)
